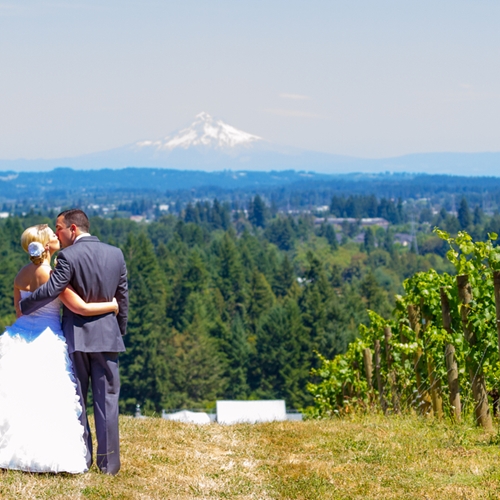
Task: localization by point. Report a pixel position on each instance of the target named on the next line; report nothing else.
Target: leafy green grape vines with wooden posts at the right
(443, 335)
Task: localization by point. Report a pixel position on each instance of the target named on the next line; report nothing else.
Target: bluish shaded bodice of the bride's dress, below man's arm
(31, 325)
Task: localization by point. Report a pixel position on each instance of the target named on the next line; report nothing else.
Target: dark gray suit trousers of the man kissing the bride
(102, 369)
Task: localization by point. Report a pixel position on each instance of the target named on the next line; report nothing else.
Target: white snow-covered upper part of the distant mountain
(205, 132)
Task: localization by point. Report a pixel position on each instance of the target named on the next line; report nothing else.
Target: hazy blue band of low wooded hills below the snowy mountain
(292, 189)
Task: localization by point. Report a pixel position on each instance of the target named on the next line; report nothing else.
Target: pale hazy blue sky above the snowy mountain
(364, 78)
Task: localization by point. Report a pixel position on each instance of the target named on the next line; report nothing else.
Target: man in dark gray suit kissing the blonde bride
(96, 272)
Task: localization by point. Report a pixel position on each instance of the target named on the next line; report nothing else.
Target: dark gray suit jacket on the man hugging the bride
(97, 273)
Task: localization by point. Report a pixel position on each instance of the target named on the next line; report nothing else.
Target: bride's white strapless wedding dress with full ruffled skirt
(39, 426)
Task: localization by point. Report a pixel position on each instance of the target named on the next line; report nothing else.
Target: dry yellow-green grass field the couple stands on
(360, 457)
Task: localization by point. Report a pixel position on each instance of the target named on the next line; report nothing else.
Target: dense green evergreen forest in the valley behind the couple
(243, 304)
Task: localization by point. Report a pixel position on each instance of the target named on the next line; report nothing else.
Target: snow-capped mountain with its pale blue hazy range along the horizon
(209, 145)
